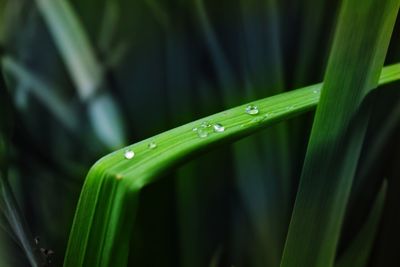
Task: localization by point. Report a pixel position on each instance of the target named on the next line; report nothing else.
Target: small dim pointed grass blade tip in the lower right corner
(358, 253)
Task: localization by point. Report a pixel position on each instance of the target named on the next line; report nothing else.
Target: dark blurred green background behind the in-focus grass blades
(162, 64)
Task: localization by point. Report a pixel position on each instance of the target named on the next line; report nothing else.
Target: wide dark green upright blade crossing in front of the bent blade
(361, 40)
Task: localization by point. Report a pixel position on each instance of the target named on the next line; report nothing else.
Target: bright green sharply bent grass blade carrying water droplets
(106, 210)
